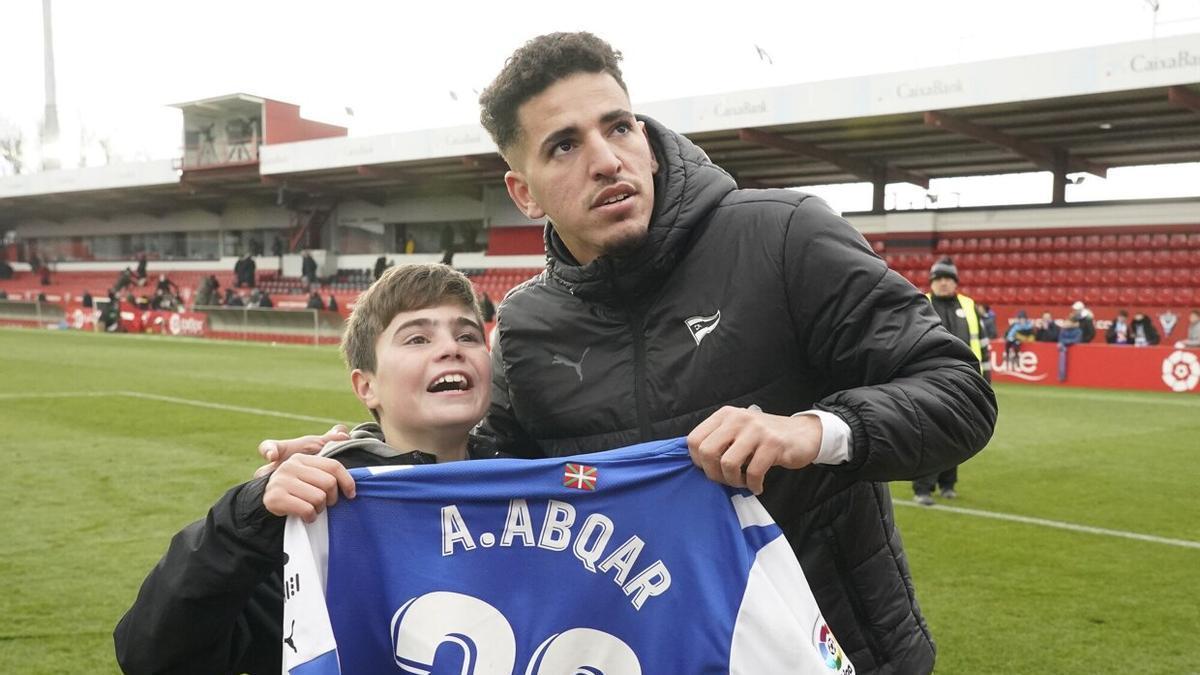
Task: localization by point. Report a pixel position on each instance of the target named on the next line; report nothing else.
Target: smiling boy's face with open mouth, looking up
(433, 377)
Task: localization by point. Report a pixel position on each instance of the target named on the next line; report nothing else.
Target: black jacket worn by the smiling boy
(214, 604)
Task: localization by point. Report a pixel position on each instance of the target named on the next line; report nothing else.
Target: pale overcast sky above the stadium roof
(409, 65)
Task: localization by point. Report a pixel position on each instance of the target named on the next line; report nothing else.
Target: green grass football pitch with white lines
(113, 443)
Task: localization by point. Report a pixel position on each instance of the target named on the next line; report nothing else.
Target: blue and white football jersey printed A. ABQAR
(622, 563)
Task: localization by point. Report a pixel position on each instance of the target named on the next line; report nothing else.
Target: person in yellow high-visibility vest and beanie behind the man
(961, 316)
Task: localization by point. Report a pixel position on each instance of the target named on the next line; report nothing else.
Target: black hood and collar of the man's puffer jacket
(687, 188)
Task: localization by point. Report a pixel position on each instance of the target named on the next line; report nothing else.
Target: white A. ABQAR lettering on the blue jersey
(590, 543)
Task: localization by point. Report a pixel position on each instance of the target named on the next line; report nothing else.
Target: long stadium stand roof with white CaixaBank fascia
(1081, 111)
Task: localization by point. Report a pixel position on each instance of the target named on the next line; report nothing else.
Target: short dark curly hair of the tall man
(532, 69)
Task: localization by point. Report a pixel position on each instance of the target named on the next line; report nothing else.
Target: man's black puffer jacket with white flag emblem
(747, 297)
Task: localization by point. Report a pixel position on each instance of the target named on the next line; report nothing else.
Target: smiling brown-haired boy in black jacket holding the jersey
(415, 345)
